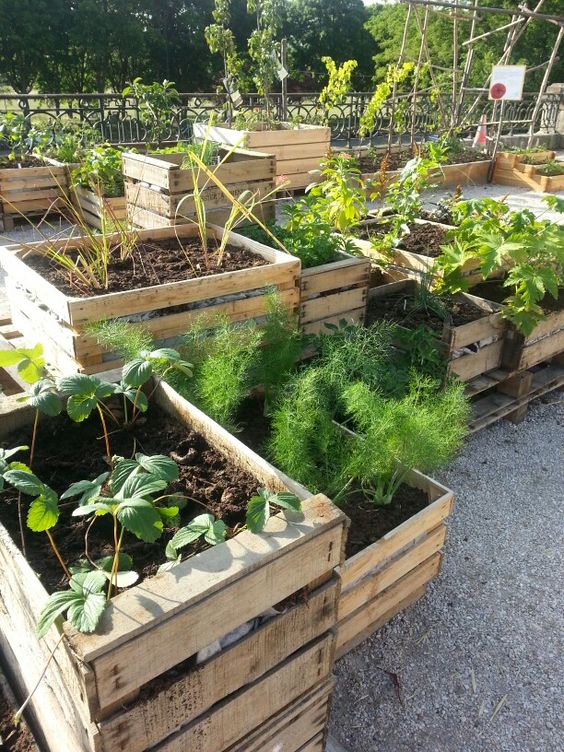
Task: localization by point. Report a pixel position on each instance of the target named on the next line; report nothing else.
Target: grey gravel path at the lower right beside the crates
(479, 658)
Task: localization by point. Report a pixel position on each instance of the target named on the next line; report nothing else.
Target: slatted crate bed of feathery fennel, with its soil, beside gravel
(392, 552)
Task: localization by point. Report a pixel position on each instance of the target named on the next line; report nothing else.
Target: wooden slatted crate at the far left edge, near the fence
(32, 191)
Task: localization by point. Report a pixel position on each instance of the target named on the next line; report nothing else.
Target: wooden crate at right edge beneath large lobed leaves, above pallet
(545, 342)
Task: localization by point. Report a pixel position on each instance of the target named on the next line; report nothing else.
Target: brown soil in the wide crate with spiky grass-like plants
(150, 264)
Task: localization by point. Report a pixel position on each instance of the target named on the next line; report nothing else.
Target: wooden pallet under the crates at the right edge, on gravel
(504, 394)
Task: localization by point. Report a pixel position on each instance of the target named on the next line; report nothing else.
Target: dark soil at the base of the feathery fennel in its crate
(370, 522)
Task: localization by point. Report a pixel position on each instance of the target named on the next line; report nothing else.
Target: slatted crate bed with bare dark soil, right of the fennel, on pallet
(470, 337)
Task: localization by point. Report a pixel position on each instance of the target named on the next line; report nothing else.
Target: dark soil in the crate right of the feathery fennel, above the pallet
(401, 308)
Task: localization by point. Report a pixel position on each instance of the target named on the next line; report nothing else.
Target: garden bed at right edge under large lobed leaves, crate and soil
(543, 343)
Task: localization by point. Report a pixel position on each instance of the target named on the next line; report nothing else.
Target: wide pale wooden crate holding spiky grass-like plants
(42, 313)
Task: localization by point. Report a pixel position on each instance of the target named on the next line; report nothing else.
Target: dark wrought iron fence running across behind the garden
(117, 119)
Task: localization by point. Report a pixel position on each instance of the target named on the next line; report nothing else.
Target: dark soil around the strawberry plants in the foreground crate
(67, 452)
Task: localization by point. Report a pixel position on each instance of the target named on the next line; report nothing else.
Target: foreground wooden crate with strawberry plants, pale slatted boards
(86, 703)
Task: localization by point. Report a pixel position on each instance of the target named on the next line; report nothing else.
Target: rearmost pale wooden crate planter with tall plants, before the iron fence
(297, 149)
